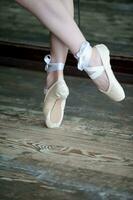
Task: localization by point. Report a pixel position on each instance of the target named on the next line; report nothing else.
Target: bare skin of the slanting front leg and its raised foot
(58, 20)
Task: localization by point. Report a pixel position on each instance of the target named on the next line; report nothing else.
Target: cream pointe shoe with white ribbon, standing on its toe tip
(55, 97)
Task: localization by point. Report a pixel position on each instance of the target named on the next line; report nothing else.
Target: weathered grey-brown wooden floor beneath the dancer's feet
(89, 158)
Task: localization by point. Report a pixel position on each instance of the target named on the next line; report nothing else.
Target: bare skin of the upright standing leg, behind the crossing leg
(58, 49)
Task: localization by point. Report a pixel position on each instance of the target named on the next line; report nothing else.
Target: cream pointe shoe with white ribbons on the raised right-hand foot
(114, 91)
